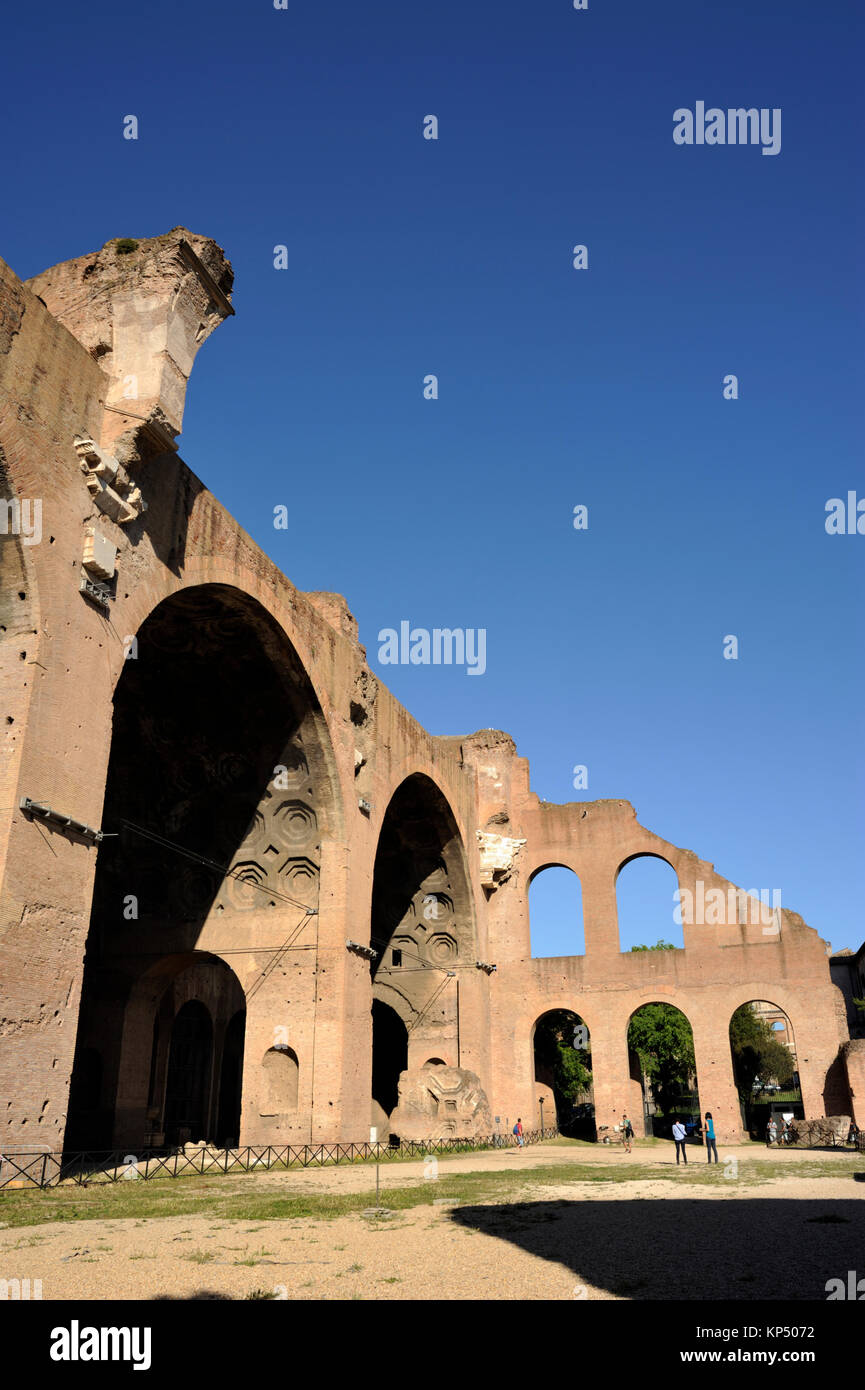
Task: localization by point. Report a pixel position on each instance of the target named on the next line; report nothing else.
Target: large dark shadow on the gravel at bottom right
(741, 1249)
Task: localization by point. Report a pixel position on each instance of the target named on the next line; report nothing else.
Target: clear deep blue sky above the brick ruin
(557, 387)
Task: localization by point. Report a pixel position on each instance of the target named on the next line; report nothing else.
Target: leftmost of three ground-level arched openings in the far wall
(563, 1075)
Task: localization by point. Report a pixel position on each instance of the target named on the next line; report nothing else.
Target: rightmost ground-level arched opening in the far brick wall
(766, 1067)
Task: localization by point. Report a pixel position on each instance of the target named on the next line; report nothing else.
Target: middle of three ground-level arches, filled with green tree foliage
(664, 1071)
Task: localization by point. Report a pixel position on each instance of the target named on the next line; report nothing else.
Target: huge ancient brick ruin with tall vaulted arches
(213, 811)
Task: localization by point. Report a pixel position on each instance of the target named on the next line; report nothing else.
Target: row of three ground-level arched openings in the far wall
(663, 1068)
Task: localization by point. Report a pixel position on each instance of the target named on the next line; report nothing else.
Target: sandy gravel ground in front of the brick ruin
(576, 1241)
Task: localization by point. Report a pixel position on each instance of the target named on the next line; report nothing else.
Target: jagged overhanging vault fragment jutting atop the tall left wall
(143, 309)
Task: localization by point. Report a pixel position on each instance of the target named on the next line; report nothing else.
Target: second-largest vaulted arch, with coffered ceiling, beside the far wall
(423, 933)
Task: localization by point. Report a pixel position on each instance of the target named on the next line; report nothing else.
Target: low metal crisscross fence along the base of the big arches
(48, 1170)
